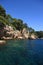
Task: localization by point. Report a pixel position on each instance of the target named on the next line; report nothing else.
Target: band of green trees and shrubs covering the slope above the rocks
(17, 24)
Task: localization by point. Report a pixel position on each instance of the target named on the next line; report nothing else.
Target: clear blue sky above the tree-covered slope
(30, 11)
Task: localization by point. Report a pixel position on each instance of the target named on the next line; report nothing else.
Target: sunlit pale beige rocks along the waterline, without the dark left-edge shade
(16, 34)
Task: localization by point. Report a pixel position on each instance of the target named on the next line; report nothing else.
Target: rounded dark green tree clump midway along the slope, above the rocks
(19, 25)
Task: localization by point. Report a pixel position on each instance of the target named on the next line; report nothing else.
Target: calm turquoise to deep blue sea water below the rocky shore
(22, 52)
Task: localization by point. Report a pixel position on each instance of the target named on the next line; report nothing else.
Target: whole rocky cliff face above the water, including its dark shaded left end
(10, 32)
